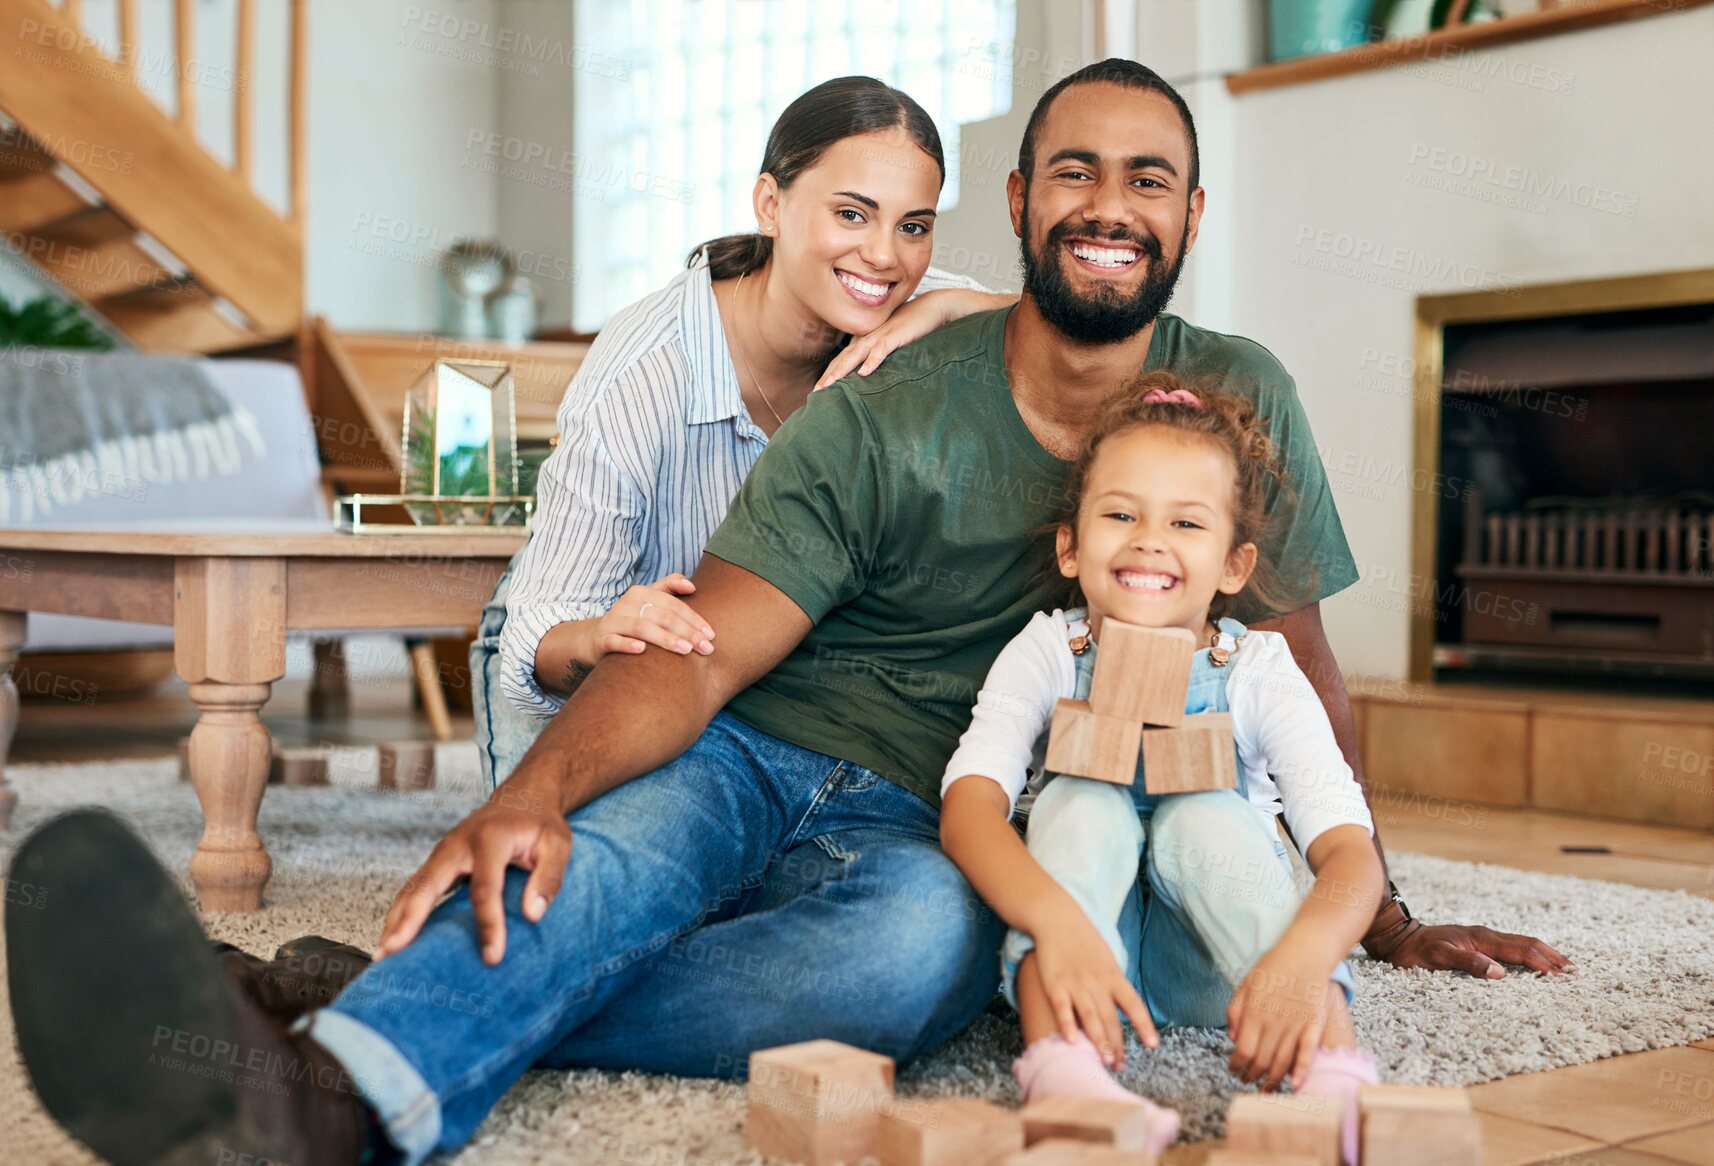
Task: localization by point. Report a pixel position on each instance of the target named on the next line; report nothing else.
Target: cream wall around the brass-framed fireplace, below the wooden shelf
(1615, 119)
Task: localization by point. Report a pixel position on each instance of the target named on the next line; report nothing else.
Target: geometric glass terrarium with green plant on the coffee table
(460, 447)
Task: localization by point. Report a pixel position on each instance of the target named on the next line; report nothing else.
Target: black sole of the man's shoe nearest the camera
(124, 1016)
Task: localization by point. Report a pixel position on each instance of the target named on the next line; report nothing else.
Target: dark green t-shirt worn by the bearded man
(897, 512)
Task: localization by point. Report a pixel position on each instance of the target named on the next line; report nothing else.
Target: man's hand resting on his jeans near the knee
(515, 827)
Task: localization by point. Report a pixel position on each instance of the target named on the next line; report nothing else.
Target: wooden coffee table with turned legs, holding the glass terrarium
(231, 599)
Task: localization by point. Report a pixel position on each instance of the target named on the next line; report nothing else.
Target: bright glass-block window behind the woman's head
(674, 102)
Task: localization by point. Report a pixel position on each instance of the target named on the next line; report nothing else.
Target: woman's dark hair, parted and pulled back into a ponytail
(813, 123)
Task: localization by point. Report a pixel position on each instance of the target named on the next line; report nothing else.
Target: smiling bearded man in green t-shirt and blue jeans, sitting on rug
(710, 855)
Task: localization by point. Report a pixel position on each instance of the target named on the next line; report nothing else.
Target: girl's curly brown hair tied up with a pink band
(1228, 421)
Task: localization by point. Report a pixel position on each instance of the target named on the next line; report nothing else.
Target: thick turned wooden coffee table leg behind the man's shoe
(231, 647)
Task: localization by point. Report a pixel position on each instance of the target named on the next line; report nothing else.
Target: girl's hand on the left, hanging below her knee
(1084, 987)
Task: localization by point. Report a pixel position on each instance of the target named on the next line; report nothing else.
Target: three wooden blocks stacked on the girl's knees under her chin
(1136, 709)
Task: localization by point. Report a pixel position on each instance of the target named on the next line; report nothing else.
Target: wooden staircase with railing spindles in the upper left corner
(119, 203)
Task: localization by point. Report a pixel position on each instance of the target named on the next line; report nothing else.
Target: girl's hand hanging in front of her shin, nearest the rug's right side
(1278, 1018)
